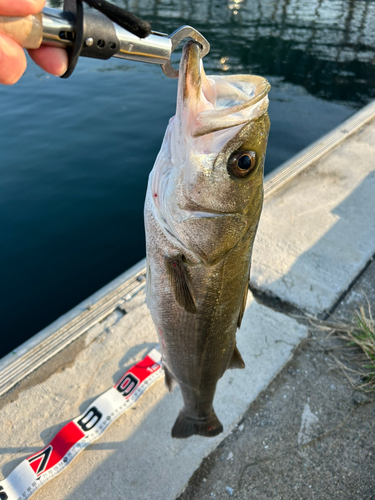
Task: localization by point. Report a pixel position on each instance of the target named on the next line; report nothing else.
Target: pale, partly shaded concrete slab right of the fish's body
(318, 231)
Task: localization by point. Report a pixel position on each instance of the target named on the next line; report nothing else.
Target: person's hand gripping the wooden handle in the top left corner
(12, 56)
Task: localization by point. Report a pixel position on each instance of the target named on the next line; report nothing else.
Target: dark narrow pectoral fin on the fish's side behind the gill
(180, 282)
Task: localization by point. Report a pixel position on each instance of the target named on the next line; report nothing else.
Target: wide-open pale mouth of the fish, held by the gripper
(208, 104)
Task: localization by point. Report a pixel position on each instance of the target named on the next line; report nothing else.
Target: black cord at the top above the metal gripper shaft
(122, 17)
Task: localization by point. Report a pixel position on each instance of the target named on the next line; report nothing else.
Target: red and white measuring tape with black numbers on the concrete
(38, 469)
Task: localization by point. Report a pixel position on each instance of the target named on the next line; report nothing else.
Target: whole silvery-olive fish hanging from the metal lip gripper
(202, 208)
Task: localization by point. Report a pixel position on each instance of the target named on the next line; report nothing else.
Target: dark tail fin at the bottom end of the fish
(186, 426)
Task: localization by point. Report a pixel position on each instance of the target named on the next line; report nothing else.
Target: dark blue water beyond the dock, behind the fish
(75, 155)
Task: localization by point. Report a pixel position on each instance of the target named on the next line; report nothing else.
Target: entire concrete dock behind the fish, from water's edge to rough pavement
(293, 427)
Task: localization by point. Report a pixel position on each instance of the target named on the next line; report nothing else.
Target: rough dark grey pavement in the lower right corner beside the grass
(310, 435)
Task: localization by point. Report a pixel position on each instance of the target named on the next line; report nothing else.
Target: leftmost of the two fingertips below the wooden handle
(12, 61)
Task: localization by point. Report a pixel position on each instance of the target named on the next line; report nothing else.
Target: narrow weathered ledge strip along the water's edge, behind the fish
(55, 337)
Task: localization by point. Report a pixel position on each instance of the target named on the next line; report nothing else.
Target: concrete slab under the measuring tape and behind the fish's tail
(142, 436)
